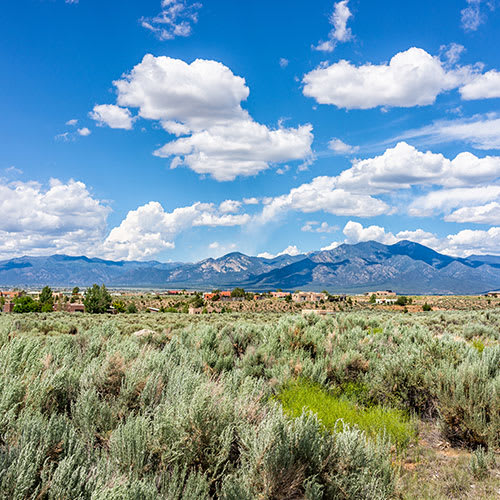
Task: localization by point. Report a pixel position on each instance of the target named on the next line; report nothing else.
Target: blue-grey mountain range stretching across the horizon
(405, 267)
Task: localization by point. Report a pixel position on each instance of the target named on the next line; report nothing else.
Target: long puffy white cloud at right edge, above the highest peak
(403, 166)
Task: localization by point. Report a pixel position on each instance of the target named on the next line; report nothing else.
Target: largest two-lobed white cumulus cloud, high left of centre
(200, 103)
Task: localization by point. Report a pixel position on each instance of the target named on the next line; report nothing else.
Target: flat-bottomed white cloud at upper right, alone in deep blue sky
(411, 78)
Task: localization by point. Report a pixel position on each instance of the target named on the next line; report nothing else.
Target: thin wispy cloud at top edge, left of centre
(175, 19)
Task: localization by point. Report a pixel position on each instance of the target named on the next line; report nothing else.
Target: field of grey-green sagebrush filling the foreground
(245, 406)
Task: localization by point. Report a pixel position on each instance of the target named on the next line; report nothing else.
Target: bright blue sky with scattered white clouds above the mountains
(177, 130)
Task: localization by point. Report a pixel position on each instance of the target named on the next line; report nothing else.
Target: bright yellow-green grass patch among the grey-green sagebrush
(337, 412)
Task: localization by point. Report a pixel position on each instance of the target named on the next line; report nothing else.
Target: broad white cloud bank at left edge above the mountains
(60, 218)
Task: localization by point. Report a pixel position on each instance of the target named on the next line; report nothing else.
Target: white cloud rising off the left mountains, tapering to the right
(149, 230)
